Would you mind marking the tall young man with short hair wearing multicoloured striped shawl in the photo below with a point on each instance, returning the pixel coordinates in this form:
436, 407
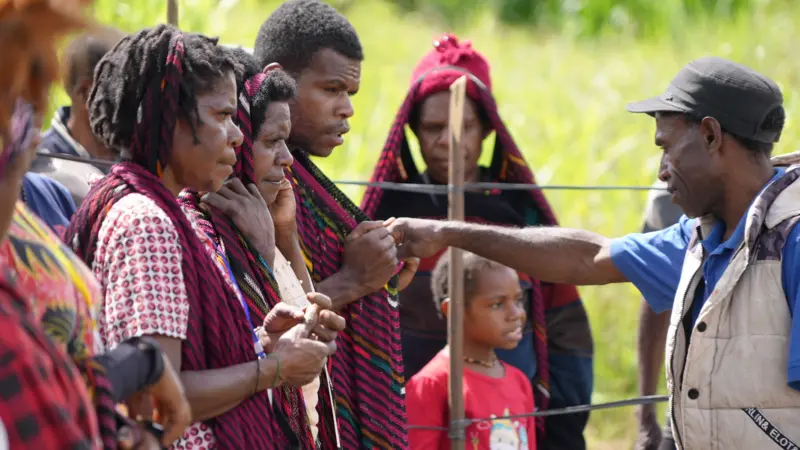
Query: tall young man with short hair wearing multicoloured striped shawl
351, 259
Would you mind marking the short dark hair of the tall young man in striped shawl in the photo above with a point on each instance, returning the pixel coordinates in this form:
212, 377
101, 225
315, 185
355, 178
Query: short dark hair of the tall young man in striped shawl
298, 29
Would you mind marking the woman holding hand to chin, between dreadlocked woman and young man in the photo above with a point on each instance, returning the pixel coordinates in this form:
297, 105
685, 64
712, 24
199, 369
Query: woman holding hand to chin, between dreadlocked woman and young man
238, 213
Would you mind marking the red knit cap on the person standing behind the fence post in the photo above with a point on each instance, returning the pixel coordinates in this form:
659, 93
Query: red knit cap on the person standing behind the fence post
448, 61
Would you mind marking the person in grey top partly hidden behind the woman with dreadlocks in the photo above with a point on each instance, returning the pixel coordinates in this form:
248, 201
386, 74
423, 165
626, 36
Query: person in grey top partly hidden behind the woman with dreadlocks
70, 132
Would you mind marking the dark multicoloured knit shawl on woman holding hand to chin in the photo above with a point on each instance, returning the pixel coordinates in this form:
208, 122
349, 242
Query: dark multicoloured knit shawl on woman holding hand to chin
254, 277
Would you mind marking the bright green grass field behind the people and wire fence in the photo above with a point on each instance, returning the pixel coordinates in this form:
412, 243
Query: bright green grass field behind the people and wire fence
564, 101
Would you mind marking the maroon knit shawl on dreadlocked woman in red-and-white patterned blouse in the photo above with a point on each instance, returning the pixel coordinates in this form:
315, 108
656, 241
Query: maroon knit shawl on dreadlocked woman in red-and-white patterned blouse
218, 334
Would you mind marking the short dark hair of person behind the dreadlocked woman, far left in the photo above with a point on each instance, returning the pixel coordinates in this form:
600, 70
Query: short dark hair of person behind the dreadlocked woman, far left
84, 53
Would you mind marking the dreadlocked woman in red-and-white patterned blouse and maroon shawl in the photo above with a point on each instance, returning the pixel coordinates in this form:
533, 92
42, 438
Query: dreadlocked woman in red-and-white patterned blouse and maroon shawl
166, 100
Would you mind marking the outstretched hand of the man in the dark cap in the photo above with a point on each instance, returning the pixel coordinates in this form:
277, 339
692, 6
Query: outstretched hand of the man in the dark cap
420, 238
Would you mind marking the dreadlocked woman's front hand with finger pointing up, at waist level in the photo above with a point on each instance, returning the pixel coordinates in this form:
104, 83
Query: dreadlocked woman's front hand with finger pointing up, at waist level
302, 358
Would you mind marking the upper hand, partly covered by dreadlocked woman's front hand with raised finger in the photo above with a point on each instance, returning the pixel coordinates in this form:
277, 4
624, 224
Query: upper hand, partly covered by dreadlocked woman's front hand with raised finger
284, 317
